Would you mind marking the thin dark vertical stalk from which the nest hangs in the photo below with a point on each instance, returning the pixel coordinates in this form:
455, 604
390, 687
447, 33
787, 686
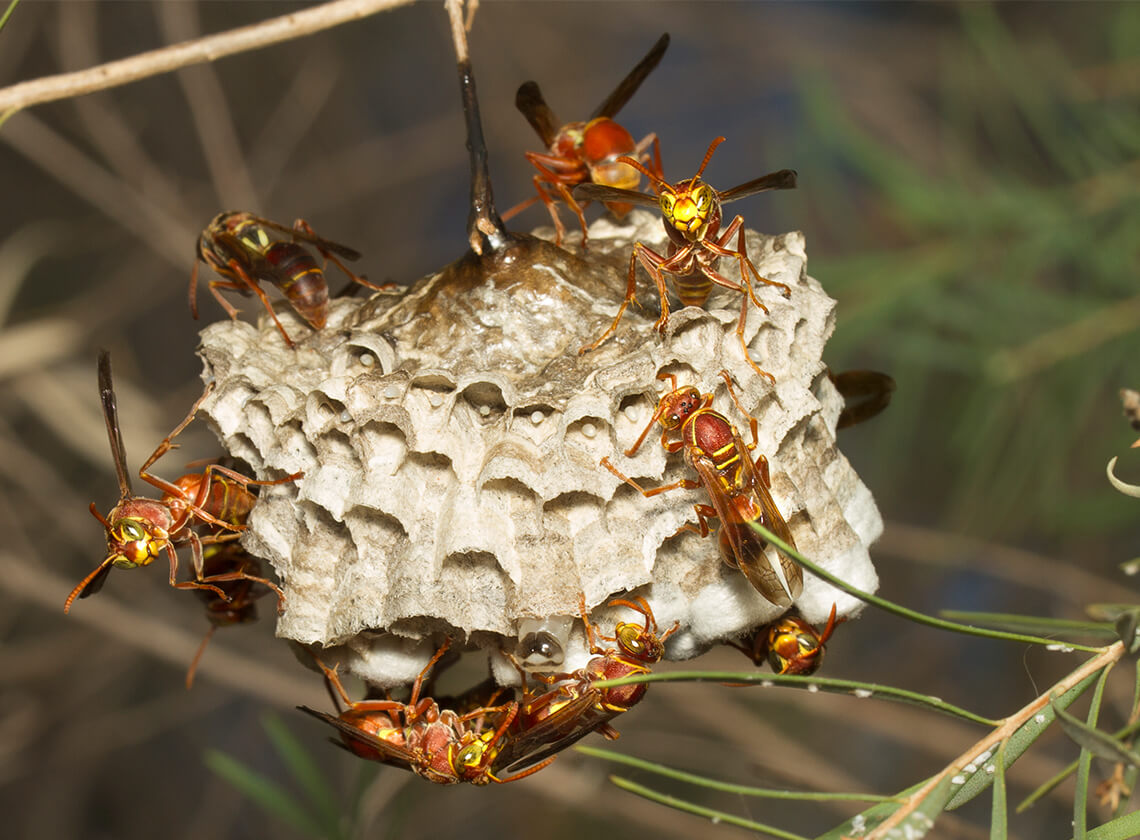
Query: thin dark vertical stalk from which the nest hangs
486, 231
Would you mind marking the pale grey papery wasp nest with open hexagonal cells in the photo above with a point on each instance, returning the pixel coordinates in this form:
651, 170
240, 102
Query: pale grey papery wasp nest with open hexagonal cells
451, 441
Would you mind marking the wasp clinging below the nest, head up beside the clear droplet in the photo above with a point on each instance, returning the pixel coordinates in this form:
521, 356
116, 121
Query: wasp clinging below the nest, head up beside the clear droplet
574, 707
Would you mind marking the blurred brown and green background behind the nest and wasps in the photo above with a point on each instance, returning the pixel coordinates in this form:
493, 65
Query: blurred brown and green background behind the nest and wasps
968, 187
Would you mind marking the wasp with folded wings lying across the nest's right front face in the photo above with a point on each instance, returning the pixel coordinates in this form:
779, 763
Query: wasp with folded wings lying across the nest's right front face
738, 486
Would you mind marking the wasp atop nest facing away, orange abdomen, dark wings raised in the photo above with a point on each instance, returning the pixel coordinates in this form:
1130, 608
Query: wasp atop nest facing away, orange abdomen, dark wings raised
582, 152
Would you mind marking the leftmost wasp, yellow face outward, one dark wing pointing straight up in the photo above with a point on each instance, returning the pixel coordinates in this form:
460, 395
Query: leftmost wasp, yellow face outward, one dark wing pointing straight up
140, 529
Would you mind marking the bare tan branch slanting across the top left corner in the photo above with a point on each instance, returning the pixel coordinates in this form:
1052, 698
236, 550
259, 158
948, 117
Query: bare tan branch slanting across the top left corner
183, 55
